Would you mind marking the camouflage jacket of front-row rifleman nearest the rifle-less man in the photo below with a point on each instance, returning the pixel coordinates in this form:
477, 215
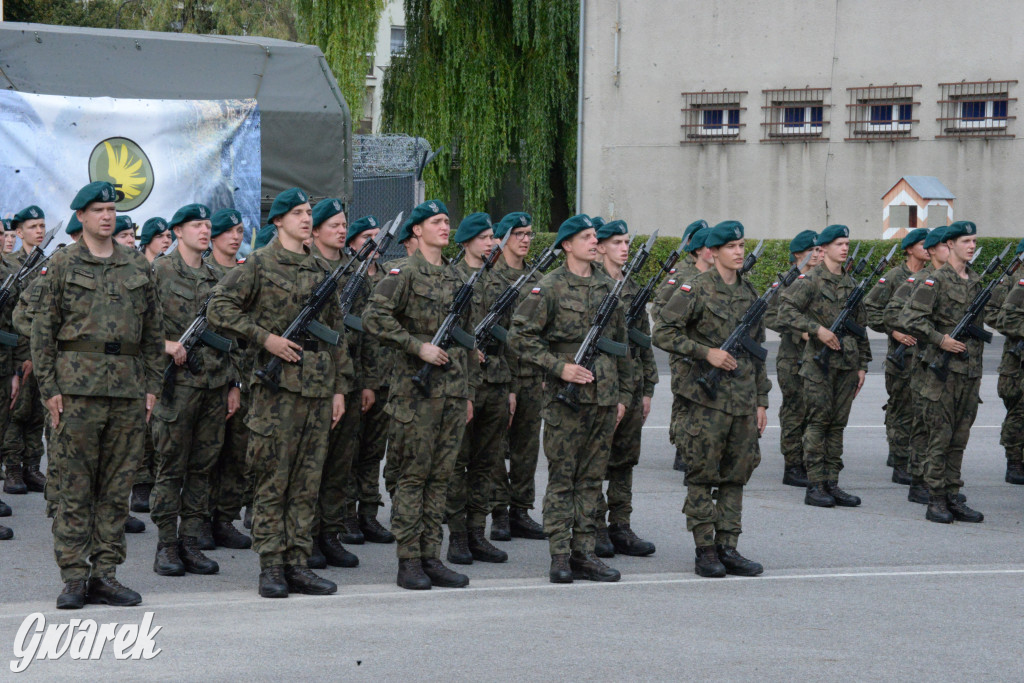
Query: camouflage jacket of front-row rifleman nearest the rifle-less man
263, 297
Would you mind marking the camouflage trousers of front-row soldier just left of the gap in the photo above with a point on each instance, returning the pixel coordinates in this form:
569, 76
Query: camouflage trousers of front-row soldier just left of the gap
722, 452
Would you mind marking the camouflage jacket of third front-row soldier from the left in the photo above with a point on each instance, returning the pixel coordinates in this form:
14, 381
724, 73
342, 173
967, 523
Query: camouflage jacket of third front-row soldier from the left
405, 311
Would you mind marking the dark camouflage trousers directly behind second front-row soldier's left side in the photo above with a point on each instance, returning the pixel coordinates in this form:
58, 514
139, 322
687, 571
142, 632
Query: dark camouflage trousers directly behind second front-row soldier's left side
231, 483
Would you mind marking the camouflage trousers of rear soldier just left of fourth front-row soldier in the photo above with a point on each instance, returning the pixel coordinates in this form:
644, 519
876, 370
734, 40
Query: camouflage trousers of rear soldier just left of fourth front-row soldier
517, 485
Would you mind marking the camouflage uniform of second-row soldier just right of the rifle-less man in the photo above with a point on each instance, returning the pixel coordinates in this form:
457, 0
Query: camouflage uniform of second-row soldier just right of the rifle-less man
189, 430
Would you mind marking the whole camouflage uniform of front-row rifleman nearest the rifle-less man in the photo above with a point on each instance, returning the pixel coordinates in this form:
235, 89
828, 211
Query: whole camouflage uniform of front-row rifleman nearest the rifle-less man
290, 428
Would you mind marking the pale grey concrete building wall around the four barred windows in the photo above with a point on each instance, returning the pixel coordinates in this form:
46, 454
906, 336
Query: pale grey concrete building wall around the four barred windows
634, 166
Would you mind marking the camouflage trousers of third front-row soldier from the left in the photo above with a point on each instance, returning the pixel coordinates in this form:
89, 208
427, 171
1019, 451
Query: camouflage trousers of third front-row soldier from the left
425, 436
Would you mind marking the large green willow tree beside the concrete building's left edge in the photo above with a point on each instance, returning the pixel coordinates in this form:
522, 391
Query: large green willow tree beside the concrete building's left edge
495, 82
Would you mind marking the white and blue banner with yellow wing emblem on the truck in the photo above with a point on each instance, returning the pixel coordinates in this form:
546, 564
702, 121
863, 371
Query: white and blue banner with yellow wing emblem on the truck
160, 154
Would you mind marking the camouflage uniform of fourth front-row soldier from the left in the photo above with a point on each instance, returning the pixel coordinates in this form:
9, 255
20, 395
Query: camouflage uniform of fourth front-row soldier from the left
547, 330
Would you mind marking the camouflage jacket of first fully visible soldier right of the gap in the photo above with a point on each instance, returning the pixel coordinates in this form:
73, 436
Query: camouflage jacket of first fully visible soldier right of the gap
814, 301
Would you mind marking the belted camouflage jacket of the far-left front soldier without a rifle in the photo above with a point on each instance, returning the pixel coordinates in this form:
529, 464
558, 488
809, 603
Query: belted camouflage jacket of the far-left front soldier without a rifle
101, 301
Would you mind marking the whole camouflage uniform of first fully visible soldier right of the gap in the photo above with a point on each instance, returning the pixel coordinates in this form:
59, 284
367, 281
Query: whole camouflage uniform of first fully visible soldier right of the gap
815, 301
